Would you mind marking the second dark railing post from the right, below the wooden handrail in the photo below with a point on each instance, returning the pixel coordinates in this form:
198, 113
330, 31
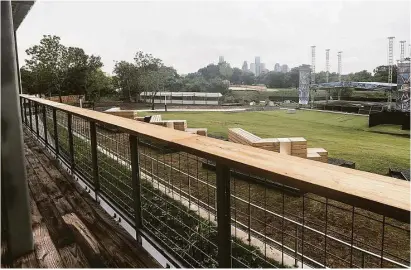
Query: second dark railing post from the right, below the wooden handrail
135, 176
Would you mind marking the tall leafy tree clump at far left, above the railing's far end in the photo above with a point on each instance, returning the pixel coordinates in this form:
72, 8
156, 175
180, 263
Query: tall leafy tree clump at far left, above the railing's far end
55, 69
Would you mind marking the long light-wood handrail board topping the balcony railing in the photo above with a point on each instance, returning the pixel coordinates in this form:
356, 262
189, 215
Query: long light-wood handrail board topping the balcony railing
380, 194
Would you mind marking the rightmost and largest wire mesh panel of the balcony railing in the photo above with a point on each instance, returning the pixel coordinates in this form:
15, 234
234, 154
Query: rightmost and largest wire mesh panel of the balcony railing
277, 226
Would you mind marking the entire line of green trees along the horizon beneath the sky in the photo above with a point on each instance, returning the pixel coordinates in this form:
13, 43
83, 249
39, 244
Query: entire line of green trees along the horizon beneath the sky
54, 69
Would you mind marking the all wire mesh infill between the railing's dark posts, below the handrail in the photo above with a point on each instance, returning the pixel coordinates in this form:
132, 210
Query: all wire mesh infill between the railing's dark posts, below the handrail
271, 225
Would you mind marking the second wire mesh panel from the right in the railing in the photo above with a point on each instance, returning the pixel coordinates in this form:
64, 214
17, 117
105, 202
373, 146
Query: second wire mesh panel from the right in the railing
178, 198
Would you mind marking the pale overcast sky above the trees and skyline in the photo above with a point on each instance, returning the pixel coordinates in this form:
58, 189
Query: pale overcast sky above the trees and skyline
190, 35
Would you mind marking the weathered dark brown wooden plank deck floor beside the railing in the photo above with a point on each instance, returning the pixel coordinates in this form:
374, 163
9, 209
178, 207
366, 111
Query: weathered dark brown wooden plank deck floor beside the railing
70, 229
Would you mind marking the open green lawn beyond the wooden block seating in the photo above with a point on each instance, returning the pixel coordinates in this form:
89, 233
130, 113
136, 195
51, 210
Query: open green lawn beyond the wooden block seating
344, 136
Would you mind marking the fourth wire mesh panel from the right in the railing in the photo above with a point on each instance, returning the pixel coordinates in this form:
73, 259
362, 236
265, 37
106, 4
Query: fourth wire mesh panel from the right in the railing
82, 148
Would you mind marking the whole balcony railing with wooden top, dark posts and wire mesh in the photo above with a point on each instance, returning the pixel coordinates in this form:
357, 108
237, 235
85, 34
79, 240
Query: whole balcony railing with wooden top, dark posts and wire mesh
204, 202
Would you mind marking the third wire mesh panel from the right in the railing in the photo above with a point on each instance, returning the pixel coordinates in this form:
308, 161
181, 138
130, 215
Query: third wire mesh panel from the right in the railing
114, 167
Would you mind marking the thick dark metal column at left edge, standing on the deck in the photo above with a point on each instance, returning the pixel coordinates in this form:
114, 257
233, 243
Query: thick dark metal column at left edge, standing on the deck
14, 189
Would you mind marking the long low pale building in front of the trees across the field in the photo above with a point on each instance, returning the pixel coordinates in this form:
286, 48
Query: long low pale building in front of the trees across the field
184, 98
